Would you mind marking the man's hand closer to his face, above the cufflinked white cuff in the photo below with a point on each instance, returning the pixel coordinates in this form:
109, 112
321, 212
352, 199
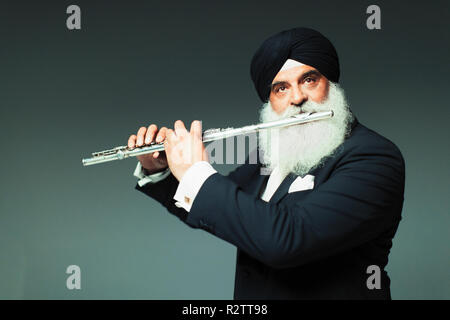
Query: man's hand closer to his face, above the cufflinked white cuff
184, 148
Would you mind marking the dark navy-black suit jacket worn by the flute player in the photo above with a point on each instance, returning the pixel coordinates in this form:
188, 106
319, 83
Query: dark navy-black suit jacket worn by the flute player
312, 244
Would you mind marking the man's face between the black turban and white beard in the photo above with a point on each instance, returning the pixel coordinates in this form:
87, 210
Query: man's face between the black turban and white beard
296, 85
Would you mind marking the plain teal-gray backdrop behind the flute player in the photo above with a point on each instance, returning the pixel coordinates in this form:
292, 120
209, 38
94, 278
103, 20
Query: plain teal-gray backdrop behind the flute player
64, 94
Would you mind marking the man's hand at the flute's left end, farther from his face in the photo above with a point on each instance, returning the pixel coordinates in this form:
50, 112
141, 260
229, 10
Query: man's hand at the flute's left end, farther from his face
152, 162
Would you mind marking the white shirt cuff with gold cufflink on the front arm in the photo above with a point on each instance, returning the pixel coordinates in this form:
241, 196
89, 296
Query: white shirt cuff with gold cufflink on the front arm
191, 183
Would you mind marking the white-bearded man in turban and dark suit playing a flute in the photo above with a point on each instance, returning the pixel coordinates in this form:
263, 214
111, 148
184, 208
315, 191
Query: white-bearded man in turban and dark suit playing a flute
328, 211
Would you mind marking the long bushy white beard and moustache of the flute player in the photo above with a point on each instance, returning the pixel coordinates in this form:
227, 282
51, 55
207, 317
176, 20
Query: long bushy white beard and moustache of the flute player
302, 148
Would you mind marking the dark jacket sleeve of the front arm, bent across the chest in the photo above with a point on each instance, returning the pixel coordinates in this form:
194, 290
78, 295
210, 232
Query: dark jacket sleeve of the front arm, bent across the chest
361, 199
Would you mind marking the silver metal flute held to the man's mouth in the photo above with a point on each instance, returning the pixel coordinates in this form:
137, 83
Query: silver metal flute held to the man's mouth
122, 152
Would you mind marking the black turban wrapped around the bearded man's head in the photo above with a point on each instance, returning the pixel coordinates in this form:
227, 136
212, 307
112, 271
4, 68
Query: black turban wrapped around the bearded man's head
301, 44
